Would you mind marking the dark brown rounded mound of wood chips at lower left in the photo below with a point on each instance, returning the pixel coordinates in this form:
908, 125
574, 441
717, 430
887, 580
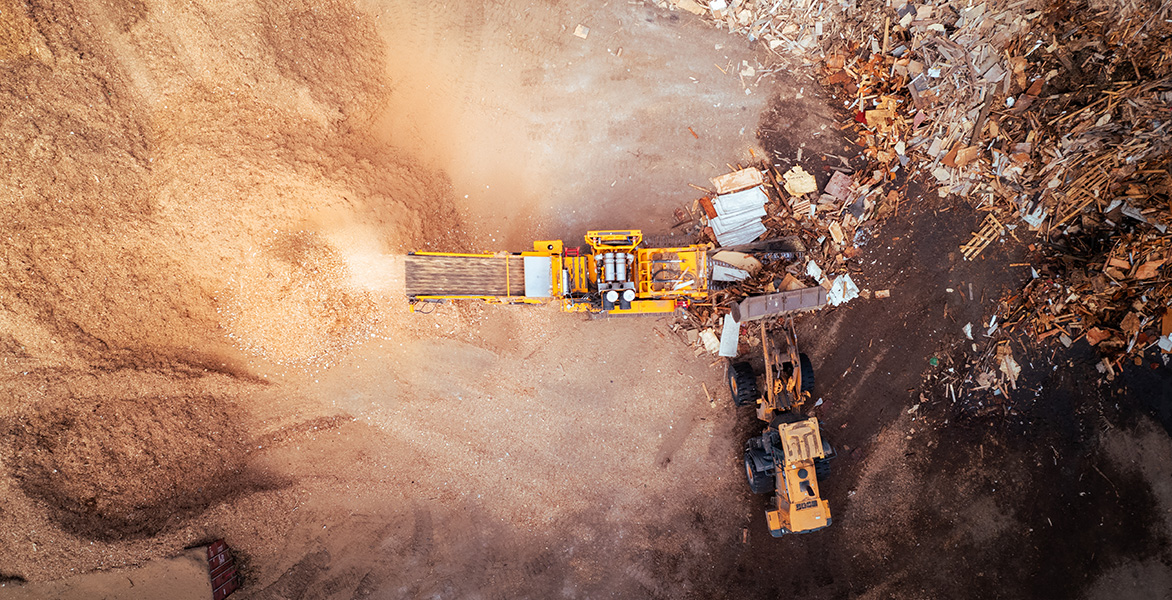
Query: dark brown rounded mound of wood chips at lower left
118, 468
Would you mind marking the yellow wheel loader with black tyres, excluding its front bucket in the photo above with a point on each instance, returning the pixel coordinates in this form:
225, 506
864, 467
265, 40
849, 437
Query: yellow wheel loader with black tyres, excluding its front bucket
791, 456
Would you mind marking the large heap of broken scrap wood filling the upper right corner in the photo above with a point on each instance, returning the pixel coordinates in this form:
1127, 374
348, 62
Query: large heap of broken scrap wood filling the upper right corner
1052, 120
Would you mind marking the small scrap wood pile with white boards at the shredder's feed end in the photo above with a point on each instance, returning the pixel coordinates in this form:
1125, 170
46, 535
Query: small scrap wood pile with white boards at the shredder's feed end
778, 235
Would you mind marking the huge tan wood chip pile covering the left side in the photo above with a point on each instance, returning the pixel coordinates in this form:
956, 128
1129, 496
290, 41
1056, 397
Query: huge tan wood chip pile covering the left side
189, 193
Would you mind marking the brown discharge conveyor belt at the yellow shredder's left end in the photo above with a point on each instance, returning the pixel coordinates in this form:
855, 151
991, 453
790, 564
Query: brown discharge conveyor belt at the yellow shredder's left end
465, 276
